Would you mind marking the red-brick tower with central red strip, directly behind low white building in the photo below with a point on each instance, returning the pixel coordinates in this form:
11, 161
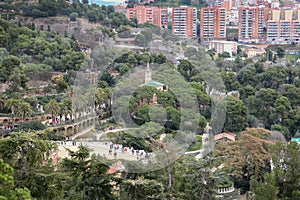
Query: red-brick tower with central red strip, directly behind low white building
212, 23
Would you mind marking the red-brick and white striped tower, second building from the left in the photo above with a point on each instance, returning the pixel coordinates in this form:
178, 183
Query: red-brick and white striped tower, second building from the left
184, 21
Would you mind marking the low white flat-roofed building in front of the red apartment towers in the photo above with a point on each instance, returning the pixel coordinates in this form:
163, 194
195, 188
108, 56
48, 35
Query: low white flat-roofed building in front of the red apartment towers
223, 46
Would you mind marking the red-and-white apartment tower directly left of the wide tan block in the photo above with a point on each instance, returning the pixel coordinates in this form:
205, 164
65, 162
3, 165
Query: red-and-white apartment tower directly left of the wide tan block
252, 20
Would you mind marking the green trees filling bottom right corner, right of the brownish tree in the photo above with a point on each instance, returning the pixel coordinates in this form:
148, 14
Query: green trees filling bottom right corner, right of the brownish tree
283, 181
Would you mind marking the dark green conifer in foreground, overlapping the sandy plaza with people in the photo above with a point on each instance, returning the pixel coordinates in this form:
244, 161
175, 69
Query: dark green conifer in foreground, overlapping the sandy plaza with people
88, 178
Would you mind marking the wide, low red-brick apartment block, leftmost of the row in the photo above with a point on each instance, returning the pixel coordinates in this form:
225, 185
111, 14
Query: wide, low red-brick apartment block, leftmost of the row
146, 14
